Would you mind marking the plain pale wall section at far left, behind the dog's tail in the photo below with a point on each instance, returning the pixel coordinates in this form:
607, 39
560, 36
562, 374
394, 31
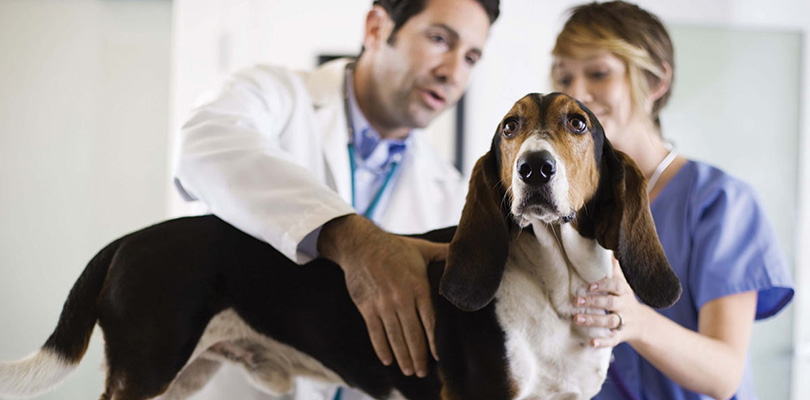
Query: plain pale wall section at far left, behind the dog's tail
83, 128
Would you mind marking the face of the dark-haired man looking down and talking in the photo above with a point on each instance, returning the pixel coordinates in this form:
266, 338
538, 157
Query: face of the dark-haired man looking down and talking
427, 66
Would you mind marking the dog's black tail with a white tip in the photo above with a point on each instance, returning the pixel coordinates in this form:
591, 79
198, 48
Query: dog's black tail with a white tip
66, 346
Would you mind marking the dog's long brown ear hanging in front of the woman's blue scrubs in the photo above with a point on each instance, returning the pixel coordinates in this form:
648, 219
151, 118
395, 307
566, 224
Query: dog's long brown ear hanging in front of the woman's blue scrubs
620, 219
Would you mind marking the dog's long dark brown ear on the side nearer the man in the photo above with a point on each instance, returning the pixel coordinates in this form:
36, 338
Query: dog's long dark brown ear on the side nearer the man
478, 251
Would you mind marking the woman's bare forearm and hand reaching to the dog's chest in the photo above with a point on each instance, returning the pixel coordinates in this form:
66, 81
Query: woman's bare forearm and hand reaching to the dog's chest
708, 361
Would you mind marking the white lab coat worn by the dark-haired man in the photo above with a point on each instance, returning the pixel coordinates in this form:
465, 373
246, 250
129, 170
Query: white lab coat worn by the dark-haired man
268, 154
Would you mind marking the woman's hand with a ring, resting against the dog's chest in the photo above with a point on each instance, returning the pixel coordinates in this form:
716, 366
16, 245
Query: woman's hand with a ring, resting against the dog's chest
616, 308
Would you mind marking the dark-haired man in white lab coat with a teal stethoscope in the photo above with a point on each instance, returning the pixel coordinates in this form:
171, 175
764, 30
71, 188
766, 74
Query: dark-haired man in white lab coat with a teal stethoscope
324, 163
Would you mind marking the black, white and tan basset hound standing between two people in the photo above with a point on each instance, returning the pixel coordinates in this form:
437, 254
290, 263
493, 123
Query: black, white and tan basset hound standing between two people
548, 206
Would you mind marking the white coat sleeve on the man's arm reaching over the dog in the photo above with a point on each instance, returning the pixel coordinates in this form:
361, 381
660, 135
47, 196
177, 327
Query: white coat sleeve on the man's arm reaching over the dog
231, 158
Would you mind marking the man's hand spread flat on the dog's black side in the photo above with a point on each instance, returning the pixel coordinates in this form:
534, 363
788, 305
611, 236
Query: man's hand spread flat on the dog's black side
387, 279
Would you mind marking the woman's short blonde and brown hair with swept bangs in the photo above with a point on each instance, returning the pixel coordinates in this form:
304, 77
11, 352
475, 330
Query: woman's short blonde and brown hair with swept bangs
630, 33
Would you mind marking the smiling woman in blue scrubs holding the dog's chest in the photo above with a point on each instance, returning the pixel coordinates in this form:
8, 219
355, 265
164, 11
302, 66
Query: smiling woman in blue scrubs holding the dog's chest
618, 60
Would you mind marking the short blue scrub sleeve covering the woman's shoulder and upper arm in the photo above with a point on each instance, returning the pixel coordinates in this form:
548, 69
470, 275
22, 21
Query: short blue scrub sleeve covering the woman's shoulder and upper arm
735, 244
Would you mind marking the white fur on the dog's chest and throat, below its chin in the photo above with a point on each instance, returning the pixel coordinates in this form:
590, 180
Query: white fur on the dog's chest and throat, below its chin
549, 356
